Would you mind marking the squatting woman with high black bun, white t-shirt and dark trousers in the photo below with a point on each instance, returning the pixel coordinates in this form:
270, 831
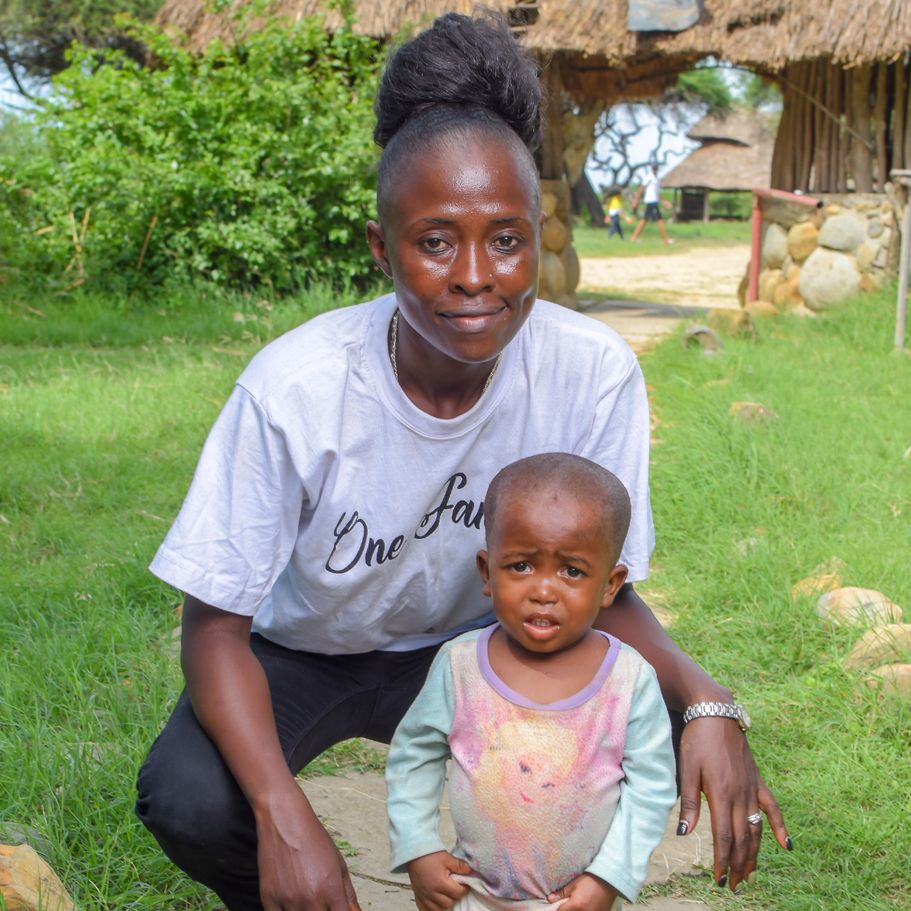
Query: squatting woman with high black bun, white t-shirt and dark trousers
337, 506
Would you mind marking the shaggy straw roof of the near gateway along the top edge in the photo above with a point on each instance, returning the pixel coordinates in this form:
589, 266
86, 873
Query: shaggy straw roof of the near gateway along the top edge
592, 35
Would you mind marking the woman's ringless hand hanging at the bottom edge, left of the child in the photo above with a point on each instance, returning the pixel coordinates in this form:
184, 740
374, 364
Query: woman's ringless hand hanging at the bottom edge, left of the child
300, 868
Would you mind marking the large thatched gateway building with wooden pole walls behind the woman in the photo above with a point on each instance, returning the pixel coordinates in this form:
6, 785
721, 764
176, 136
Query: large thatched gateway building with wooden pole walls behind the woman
843, 67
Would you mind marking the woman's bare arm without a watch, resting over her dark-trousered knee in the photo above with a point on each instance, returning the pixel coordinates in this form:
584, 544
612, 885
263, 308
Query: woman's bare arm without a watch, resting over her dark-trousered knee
300, 868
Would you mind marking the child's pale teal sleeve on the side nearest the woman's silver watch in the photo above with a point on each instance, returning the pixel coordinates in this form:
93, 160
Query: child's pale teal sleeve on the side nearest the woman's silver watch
648, 791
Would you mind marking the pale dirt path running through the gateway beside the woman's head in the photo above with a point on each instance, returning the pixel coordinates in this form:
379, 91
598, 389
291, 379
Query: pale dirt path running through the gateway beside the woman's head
651, 294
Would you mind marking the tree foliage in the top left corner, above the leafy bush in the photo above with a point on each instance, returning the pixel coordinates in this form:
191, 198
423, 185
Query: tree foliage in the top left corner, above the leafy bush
35, 34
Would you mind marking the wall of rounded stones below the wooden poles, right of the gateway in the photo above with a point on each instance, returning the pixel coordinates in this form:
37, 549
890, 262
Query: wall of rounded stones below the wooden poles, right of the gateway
813, 258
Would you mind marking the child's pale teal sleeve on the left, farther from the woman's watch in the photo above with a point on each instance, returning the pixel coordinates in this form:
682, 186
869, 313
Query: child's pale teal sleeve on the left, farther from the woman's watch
416, 768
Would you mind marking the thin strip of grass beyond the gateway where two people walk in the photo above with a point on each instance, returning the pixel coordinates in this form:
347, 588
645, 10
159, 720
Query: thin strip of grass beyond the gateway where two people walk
686, 236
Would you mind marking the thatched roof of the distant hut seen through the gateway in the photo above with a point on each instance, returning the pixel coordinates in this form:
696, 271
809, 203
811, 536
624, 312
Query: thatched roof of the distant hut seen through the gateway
736, 154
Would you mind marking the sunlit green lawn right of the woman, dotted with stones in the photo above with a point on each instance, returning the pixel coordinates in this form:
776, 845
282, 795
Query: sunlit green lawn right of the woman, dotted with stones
743, 511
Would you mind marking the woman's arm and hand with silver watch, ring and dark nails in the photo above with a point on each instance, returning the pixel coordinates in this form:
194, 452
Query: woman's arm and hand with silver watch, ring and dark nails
715, 757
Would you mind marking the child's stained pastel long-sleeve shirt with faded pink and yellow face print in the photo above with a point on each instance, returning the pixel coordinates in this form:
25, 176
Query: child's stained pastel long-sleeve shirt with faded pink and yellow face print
539, 793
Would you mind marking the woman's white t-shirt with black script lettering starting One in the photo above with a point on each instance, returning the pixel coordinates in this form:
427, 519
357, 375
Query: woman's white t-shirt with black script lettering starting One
344, 519
